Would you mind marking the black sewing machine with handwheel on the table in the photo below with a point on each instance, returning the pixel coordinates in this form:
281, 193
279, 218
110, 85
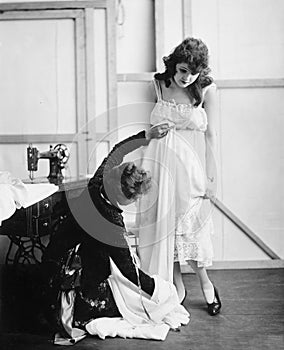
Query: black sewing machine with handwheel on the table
58, 157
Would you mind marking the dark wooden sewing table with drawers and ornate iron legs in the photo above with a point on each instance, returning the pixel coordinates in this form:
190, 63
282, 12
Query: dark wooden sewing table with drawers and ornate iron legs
29, 229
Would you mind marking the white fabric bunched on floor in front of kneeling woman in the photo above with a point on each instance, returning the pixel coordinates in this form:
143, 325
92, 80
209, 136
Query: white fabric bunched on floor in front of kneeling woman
143, 316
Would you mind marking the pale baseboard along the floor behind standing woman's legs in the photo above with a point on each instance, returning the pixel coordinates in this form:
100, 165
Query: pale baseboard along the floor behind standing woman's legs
240, 264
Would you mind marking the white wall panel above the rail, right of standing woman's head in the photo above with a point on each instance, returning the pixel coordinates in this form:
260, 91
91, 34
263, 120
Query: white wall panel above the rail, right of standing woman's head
245, 37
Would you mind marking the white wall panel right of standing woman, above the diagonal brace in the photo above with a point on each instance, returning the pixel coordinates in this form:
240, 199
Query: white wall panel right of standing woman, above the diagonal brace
252, 160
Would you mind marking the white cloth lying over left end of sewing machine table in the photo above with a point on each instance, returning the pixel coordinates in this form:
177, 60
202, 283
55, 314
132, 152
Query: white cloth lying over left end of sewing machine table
14, 194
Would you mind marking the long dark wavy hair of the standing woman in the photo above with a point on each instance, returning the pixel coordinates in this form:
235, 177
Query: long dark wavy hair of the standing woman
195, 53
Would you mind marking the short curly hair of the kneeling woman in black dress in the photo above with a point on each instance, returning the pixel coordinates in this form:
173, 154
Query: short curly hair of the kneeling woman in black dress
134, 181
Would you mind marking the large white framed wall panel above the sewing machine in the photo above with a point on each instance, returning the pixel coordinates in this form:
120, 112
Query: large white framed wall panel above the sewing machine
37, 82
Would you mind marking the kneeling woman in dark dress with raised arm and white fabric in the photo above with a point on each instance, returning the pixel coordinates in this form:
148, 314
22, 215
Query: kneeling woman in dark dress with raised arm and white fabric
92, 274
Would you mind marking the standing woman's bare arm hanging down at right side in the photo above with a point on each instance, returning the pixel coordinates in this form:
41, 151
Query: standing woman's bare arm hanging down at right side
210, 106
